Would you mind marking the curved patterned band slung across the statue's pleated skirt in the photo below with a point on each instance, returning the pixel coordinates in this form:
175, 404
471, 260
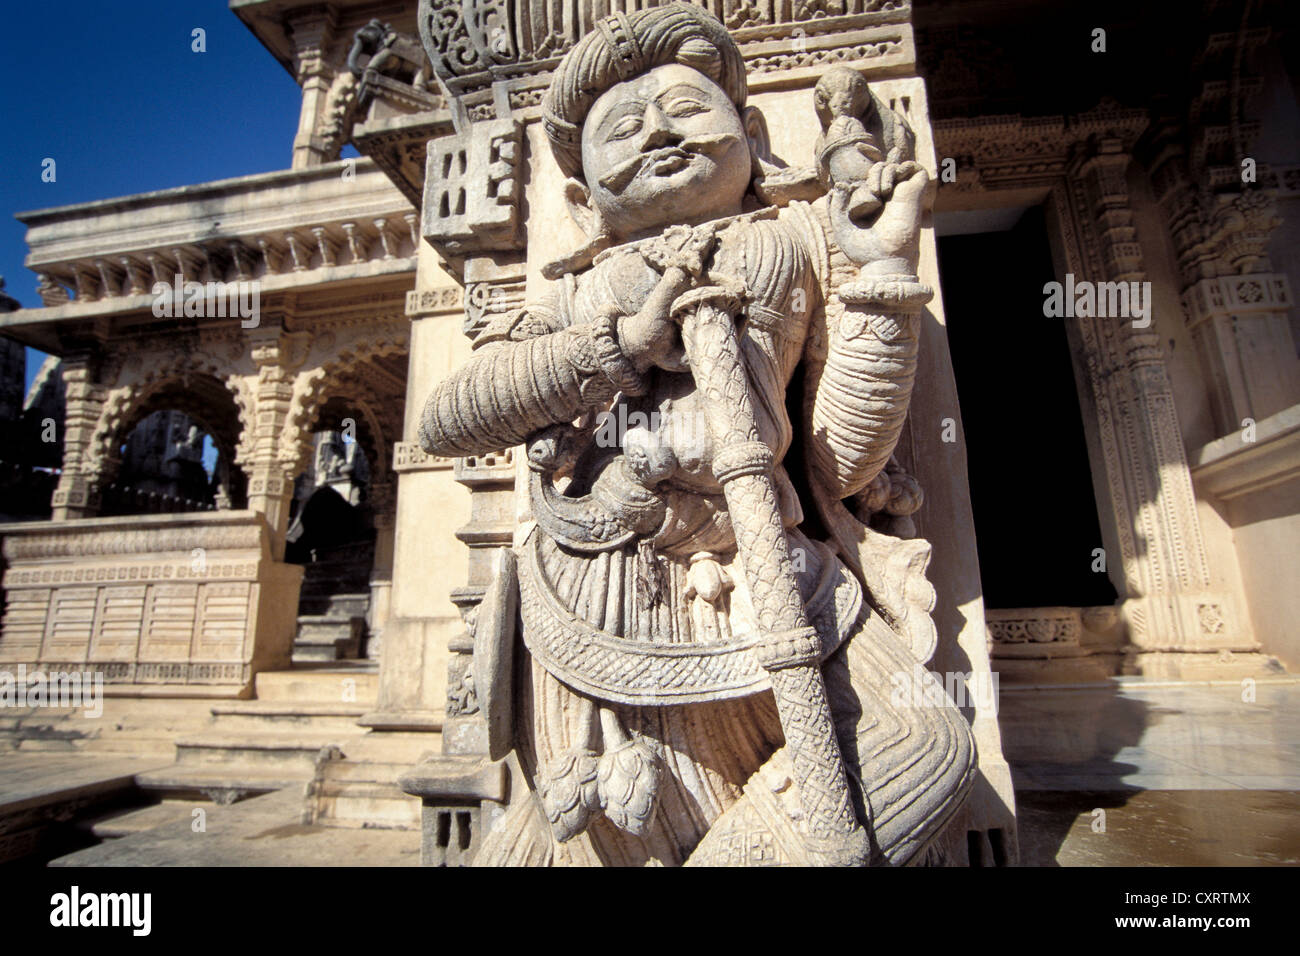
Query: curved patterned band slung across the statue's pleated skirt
632, 672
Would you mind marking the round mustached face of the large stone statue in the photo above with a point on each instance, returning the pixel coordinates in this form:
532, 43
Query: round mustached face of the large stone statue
664, 149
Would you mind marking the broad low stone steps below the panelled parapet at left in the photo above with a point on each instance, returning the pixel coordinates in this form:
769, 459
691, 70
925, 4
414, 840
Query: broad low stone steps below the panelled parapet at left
300, 734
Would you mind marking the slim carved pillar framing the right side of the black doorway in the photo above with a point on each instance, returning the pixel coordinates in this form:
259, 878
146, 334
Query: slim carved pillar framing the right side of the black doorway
1169, 604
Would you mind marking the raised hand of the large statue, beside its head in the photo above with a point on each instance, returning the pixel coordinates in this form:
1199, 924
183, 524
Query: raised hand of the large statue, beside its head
889, 241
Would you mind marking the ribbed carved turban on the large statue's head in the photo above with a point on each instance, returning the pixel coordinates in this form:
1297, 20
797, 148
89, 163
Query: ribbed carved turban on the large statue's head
627, 45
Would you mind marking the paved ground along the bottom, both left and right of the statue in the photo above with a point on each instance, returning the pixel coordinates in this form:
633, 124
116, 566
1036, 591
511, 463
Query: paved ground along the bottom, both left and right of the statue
1124, 775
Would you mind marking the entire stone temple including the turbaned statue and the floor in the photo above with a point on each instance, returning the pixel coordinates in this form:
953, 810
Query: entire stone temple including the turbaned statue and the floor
838, 432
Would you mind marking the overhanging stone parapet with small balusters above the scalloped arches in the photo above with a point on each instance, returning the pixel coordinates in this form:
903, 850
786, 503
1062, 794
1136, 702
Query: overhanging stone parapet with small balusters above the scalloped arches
279, 228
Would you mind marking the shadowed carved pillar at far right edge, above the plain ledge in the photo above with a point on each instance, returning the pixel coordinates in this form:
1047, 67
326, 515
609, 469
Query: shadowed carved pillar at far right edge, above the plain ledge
1223, 217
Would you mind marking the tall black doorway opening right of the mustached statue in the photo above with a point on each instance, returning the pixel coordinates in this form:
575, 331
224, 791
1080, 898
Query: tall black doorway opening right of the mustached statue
1032, 486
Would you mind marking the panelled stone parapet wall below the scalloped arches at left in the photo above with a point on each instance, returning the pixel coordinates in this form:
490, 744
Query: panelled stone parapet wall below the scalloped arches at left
172, 600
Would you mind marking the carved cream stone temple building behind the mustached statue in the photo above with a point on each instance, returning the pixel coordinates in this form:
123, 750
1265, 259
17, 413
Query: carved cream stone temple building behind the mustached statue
246, 539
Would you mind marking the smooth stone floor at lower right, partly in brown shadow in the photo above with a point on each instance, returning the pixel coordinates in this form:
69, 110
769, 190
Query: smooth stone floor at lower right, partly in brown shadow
1156, 775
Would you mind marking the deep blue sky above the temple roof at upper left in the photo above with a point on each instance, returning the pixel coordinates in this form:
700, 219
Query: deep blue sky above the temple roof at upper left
116, 97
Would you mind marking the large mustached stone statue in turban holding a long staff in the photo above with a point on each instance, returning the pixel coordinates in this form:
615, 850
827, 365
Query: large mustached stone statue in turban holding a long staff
716, 642
